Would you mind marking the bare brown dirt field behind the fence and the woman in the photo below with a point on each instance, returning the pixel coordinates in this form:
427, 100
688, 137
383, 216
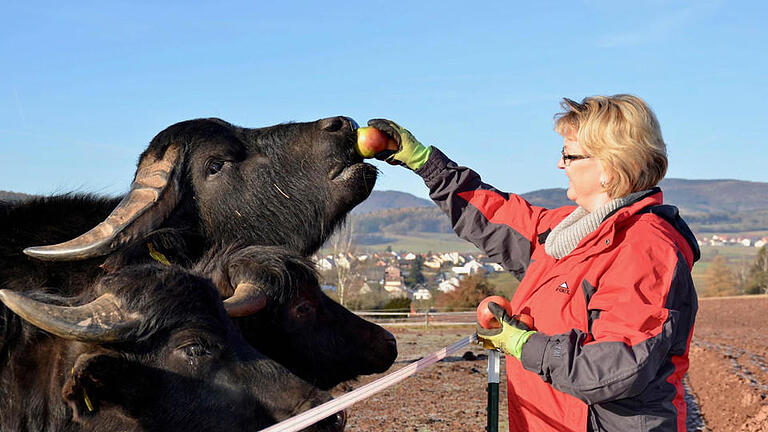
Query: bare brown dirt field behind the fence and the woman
728, 377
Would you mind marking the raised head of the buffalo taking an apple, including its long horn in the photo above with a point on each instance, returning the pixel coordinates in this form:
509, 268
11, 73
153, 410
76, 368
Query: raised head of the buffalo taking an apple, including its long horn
211, 181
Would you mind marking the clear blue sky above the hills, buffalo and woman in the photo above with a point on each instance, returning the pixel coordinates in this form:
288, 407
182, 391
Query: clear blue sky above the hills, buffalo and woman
84, 86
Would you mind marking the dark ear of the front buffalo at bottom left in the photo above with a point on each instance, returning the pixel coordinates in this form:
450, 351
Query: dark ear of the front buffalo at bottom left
97, 382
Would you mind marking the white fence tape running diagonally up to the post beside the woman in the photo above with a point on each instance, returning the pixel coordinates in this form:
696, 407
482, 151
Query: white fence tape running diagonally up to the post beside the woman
329, 408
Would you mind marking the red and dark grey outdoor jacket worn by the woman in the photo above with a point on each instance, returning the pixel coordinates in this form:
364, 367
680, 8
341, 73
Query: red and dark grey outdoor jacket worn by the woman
614, 317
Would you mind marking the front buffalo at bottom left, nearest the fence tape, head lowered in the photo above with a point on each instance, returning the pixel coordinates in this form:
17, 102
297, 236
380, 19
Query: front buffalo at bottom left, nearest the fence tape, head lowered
146, 348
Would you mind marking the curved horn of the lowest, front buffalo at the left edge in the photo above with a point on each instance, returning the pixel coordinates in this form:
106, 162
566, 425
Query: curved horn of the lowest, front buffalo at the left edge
101, 320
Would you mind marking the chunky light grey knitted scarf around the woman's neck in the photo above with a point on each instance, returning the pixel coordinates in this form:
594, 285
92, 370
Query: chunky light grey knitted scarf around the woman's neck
568, 233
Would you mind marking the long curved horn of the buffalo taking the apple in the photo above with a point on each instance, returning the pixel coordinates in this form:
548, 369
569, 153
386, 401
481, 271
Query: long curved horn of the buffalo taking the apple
154, 193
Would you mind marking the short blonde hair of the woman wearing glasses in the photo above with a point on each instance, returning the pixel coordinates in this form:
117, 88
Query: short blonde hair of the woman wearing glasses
622, 133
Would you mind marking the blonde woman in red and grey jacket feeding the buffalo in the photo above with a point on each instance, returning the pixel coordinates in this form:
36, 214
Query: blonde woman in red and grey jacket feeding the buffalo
607, 282
